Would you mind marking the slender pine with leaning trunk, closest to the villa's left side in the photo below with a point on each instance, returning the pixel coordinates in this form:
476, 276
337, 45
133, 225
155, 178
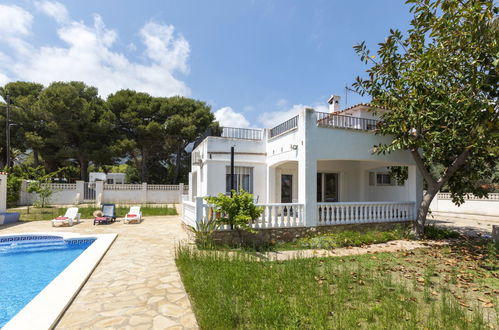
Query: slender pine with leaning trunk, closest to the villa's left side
188, 119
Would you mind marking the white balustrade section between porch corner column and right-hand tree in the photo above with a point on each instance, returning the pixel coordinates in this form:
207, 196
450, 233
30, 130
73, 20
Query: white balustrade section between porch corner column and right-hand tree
364, 212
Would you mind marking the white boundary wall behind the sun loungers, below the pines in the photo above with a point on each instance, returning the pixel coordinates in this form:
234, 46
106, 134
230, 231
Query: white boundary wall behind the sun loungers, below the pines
77, 193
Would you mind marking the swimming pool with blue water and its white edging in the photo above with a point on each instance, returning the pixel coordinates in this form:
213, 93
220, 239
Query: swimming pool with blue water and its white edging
40, 273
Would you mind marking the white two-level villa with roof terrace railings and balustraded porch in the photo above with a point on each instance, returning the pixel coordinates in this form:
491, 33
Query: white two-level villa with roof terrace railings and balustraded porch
313, 169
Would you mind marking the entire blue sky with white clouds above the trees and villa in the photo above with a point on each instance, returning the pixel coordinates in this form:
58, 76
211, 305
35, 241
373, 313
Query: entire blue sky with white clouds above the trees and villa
255, 62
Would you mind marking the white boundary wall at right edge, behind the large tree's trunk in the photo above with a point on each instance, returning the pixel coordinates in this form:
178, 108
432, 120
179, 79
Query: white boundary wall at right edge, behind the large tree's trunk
473, 205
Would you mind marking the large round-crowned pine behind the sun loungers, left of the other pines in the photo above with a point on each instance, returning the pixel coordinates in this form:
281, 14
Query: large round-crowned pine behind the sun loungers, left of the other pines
76, 125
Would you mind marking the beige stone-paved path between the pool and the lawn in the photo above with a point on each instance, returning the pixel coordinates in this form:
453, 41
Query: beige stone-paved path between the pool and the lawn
136, 285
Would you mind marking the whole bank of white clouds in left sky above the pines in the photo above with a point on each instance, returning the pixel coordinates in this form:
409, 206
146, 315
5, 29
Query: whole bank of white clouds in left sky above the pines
89, 56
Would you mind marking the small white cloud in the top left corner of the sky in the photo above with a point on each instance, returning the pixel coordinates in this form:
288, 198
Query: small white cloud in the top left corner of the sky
14, 21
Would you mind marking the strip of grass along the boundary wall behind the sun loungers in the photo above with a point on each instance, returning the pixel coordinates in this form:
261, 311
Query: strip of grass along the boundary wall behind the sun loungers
49, 213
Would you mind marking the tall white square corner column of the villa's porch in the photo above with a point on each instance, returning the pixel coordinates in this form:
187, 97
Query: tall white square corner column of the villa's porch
307, 167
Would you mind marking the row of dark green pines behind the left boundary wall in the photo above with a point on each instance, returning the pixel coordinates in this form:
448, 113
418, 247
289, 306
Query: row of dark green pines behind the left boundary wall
68, 125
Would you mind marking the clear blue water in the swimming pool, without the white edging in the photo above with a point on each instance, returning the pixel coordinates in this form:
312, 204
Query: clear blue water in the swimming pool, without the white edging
28, 264
